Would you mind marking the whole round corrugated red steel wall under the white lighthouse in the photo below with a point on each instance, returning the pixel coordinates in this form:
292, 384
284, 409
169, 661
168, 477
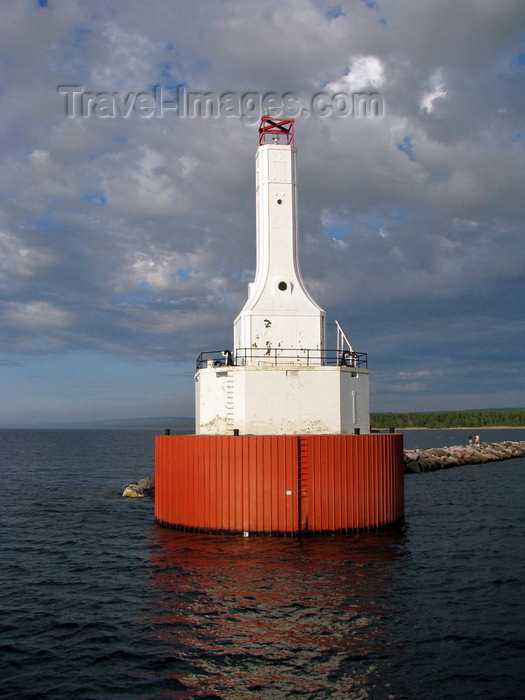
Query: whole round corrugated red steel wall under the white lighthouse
279, 484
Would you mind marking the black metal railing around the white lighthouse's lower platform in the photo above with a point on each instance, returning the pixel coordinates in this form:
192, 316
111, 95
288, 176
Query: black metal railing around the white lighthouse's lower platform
282, 356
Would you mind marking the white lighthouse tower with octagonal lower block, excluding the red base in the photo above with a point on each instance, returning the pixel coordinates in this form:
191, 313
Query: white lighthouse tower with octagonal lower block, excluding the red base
281, 379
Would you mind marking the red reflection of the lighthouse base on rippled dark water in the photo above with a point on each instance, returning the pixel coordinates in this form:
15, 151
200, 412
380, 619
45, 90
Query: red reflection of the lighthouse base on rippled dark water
263, 617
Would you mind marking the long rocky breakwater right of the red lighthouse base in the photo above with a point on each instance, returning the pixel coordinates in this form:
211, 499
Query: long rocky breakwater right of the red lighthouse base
434, 458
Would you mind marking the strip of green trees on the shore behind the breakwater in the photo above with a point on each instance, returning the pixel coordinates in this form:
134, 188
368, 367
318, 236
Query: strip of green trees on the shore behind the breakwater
450, 419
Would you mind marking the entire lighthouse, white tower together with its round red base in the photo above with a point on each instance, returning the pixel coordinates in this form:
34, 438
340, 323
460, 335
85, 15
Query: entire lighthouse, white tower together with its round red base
282, 442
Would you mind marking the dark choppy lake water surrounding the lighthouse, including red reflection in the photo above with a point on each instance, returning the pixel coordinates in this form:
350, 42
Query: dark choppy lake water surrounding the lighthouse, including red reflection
97, 601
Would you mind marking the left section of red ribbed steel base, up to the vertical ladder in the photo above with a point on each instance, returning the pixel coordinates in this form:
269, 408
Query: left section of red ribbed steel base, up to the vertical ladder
226, 483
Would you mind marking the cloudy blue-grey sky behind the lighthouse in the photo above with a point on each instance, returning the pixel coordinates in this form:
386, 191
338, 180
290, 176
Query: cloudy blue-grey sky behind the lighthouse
127, 223
